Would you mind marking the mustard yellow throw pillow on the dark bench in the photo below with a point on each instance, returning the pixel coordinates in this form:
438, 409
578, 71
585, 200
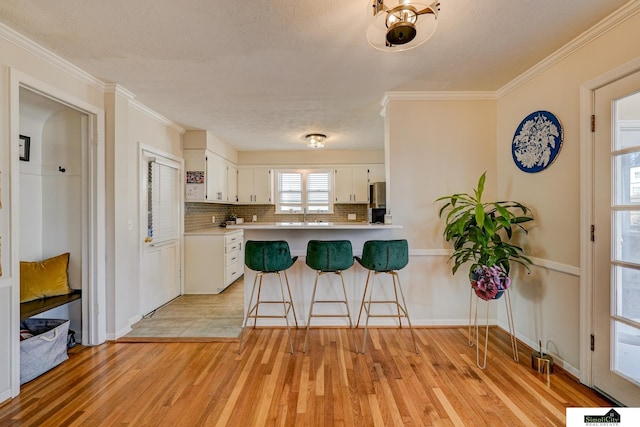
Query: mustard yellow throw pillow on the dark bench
43, 279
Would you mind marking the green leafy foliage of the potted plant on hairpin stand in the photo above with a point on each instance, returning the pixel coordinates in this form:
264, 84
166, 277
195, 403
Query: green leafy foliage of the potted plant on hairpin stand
480, 231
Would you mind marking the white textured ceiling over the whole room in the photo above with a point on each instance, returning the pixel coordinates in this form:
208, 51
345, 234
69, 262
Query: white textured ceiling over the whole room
260, 75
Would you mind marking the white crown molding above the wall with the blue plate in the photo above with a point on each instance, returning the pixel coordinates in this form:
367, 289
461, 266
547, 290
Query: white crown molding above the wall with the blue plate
614, 19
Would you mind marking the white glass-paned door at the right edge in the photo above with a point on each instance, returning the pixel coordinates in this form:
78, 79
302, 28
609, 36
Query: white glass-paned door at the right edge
616, 355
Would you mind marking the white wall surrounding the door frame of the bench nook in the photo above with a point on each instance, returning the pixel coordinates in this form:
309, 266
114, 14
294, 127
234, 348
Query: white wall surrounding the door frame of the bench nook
16, 59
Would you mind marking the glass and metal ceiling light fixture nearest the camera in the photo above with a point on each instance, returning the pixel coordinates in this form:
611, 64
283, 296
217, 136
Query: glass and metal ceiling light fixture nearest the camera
399, 25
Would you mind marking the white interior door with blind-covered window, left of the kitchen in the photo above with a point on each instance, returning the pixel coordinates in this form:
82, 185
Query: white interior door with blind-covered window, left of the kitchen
160, 228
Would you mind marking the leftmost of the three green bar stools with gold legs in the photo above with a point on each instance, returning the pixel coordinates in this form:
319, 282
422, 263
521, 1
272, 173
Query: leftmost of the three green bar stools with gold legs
269, 257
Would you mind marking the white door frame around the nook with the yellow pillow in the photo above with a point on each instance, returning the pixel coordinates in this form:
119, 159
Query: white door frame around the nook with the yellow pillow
94, 221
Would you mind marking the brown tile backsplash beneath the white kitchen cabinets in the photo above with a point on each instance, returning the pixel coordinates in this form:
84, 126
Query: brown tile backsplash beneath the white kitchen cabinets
199, 215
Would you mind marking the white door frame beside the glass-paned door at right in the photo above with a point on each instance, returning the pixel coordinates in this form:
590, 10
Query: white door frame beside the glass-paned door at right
587, 109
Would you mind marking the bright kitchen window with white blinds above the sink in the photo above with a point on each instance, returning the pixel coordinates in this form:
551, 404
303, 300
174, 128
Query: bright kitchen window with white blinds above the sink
299, 190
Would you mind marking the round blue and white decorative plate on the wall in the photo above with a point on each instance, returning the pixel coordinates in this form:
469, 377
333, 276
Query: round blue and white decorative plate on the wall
537, 141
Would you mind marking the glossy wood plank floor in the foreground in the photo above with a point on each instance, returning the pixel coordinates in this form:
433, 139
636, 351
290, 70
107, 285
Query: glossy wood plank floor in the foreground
203, 384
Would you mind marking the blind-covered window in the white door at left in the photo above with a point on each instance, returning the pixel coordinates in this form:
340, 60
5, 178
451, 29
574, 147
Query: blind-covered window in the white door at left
163, 198
